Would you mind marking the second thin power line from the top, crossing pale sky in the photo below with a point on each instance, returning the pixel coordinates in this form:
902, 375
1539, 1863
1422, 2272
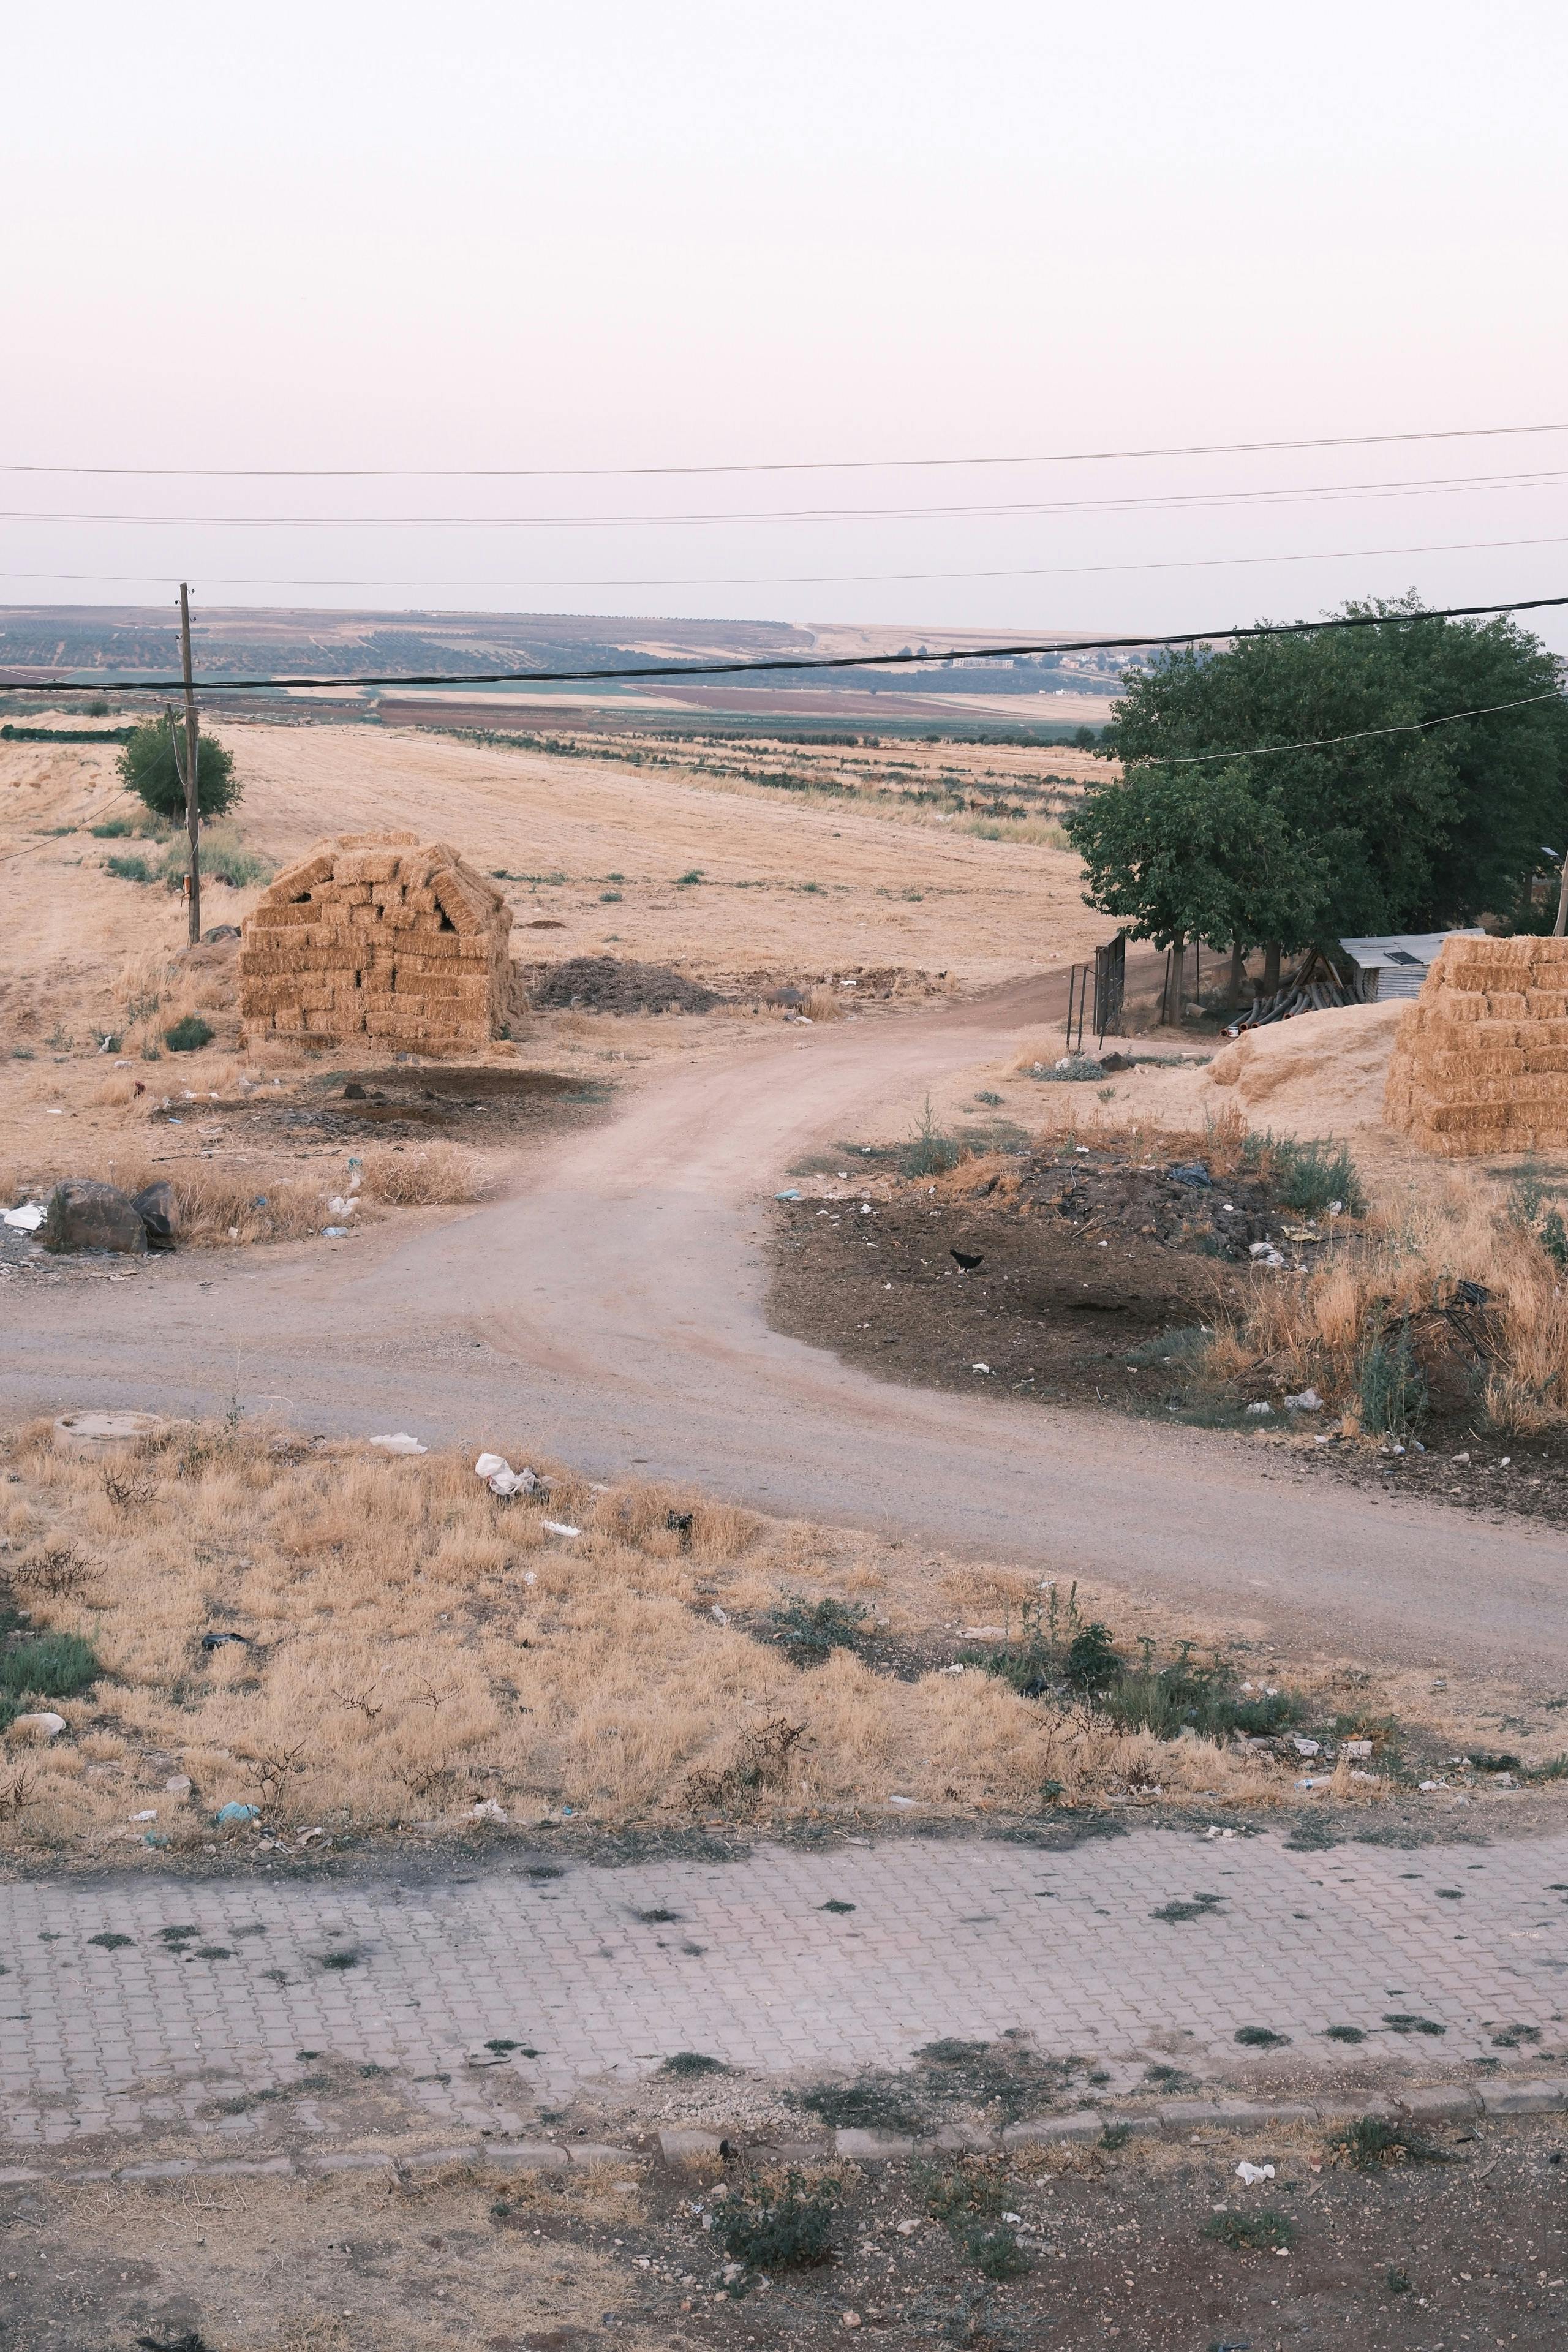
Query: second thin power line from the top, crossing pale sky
1308, 495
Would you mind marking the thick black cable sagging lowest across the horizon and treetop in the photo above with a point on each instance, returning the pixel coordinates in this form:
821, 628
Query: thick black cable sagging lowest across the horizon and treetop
805, 662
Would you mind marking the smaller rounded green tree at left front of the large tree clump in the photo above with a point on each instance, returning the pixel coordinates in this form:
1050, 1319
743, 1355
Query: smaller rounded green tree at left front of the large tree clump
1195, 853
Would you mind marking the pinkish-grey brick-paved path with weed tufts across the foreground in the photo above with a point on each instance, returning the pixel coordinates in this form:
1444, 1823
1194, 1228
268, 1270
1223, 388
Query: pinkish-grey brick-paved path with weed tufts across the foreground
944, 1939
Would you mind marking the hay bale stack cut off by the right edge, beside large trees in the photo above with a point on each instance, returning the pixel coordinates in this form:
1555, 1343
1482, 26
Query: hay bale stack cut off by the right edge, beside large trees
1482, 1057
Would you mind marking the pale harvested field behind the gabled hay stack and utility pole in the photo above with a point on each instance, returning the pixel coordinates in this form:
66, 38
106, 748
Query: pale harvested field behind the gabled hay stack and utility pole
594, 855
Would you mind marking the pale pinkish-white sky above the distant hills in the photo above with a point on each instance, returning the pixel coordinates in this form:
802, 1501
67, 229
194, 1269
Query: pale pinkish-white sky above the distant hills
697, 236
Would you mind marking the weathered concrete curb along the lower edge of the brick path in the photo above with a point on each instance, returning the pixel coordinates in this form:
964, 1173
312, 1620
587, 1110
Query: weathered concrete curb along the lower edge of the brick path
1174, 2120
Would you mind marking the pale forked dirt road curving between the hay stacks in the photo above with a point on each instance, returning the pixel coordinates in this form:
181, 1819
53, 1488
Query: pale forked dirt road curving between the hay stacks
612, 1314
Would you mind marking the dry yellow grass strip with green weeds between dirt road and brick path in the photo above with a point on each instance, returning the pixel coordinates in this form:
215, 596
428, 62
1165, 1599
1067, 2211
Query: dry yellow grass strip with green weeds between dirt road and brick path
370, 1643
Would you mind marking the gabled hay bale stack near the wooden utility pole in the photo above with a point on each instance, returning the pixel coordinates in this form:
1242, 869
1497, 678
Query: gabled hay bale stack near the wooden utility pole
380, 937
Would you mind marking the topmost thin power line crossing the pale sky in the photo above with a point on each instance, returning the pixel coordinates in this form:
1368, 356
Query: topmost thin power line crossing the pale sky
805, 465
